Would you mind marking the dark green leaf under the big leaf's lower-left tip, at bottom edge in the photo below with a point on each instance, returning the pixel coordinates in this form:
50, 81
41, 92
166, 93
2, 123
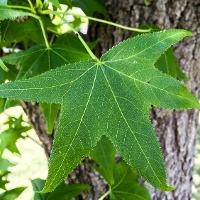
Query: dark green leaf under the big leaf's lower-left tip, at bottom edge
62, 192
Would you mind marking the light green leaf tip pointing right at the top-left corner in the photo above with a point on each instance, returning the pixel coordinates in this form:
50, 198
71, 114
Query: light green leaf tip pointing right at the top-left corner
8, 13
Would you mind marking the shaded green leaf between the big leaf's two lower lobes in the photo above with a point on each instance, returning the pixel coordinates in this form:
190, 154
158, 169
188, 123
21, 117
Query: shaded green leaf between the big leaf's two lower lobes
122, 179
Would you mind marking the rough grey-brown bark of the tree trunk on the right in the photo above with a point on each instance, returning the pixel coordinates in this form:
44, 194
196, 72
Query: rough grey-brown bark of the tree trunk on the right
176, 129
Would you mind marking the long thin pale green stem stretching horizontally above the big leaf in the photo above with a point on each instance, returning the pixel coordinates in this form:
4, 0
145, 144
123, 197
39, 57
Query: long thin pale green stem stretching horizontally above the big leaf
98, 20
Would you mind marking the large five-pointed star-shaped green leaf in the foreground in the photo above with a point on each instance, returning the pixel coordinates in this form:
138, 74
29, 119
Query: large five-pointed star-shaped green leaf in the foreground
111, 97
